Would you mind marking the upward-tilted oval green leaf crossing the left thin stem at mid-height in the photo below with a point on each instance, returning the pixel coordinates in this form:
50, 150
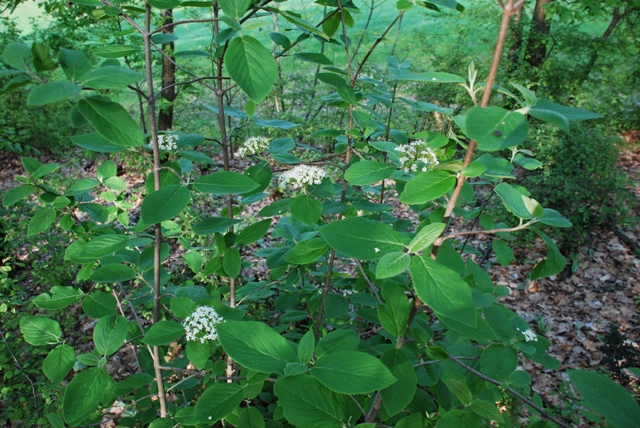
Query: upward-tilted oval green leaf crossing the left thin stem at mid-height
164, 204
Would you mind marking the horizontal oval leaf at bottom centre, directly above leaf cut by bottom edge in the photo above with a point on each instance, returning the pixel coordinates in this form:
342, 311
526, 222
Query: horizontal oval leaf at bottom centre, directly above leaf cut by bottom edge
351, 372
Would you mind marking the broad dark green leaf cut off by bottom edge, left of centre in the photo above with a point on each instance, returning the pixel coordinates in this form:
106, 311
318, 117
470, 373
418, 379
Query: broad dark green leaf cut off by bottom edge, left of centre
308, 404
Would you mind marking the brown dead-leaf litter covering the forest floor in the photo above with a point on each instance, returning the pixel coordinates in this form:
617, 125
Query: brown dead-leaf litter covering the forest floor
574, 310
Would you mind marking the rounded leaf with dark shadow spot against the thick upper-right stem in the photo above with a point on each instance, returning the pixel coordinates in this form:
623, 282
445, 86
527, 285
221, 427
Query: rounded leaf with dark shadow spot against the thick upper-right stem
495, 128
